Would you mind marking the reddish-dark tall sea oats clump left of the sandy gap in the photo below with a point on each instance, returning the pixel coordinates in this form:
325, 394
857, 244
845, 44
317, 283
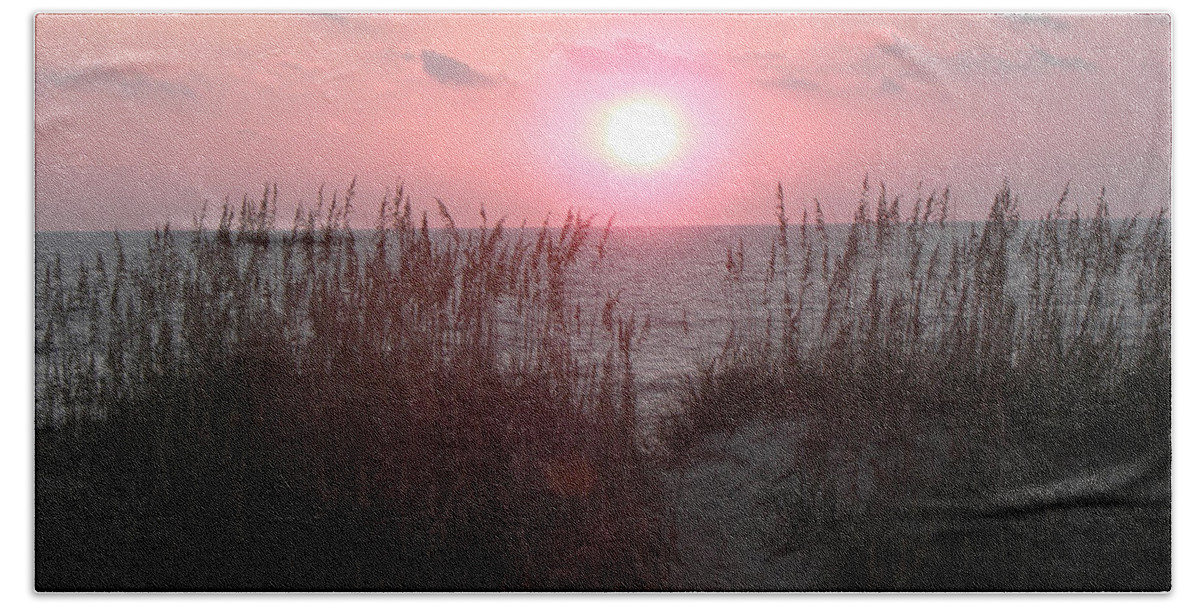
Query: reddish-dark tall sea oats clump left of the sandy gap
254, 408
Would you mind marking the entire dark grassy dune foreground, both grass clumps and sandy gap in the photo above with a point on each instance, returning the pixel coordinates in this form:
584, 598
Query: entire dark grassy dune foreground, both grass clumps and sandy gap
909, 405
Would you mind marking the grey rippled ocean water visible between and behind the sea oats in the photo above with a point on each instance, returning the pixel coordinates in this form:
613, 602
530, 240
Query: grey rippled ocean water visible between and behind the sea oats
677, 285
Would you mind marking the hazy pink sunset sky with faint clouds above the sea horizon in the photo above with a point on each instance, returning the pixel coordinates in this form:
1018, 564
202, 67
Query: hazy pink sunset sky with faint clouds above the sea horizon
140, 119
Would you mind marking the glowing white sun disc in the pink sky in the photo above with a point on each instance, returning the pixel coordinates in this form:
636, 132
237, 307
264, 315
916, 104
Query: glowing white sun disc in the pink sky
643, 133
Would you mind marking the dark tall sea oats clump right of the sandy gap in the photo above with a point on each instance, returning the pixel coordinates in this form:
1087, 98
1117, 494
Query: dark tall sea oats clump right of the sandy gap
962, 387
